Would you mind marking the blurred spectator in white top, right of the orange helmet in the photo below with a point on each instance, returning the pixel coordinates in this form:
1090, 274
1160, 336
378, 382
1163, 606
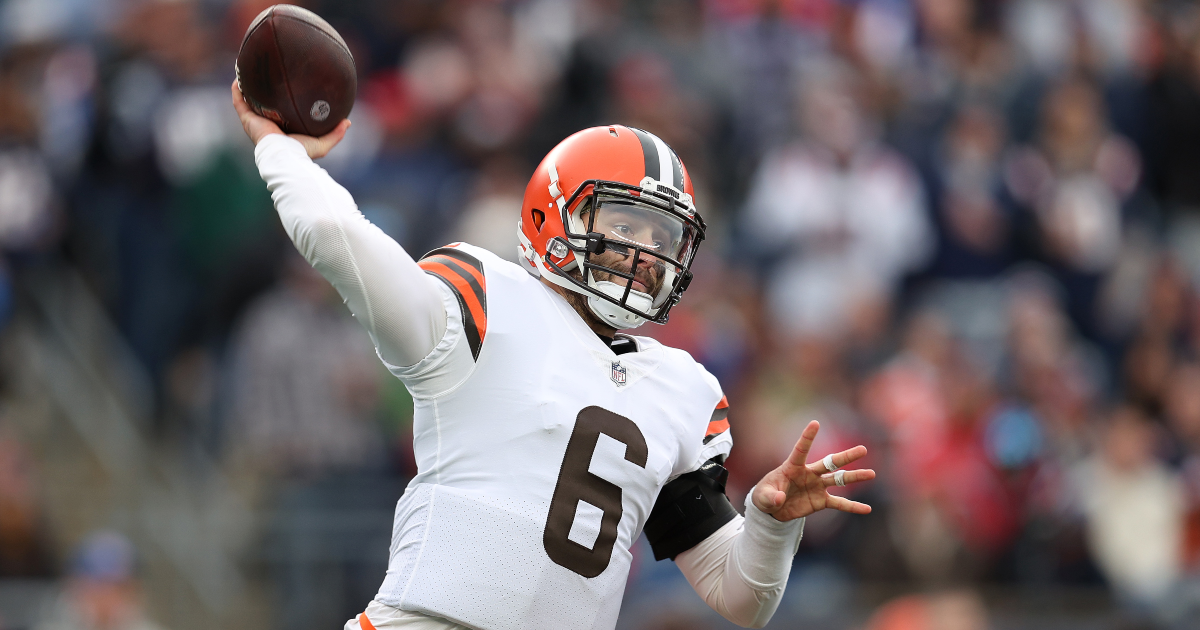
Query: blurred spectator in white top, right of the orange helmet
844, 215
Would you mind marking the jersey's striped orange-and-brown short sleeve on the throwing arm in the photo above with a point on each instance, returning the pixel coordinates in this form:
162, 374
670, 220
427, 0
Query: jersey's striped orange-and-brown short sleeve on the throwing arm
463, 283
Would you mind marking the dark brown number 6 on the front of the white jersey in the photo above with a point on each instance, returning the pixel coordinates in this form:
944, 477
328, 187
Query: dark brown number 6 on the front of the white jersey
577, 484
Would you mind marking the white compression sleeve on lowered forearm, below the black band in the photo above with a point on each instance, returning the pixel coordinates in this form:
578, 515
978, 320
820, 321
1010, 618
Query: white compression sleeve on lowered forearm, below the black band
742, 569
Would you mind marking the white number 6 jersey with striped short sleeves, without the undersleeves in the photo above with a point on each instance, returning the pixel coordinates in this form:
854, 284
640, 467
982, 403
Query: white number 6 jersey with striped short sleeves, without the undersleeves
541, 454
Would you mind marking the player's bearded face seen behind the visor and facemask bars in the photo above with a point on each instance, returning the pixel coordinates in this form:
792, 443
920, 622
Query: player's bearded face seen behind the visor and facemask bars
652, 231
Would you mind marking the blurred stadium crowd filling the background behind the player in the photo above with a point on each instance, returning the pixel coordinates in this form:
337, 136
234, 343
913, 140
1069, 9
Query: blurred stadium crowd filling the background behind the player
965, 233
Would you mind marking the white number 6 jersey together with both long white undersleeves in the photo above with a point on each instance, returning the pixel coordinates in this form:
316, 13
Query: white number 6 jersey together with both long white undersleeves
541, 451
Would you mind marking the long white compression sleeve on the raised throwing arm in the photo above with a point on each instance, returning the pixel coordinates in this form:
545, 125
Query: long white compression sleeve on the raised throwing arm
395, 301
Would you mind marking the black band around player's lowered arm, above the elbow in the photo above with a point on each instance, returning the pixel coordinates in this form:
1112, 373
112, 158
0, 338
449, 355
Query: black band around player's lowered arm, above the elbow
689, 509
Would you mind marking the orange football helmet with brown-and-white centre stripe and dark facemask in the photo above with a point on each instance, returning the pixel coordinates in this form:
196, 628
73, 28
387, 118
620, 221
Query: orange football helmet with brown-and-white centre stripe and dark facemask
610, 214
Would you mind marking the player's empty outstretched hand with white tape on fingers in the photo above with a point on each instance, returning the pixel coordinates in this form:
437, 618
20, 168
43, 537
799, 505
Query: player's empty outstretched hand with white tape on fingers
799, 489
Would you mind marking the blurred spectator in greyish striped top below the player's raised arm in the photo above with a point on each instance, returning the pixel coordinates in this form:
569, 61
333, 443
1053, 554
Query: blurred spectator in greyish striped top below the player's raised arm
305, 382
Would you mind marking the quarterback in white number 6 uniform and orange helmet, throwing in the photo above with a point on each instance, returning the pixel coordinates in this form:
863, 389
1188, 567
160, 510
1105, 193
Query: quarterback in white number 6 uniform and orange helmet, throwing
548, 441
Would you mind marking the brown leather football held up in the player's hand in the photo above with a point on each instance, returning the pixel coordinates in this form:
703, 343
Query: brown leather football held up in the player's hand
296, 70
